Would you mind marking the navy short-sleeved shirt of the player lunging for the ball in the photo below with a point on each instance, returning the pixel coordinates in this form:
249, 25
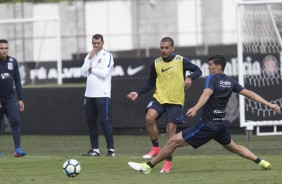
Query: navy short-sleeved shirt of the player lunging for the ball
222, 86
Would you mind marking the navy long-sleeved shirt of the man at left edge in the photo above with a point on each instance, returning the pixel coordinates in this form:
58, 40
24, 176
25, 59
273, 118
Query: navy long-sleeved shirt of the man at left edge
9, 73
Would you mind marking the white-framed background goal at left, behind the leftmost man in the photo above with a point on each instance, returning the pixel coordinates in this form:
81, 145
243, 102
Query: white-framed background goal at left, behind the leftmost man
34, 40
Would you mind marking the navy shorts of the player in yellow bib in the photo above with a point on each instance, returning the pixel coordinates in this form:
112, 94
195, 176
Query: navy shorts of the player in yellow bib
174, 112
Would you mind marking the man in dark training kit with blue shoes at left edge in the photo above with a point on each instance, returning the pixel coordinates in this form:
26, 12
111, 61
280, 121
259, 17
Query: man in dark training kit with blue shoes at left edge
9, 74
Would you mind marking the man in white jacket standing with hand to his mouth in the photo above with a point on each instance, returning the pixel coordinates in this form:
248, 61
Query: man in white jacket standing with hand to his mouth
97, 67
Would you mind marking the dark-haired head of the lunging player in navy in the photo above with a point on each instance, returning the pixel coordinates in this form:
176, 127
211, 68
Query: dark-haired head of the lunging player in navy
216, 64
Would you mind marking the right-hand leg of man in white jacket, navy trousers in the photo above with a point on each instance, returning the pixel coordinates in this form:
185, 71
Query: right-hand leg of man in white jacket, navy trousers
103, 107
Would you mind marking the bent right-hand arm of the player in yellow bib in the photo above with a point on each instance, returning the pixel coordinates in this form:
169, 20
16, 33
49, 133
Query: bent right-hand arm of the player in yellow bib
188, 66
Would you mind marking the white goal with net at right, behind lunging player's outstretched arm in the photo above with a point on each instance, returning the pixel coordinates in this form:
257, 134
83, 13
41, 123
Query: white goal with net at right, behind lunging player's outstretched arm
259, 26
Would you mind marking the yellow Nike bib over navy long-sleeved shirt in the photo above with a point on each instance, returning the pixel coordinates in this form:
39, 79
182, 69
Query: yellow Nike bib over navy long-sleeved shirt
168, 76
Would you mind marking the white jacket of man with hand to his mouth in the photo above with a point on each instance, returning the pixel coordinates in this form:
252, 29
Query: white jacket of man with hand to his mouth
99, 80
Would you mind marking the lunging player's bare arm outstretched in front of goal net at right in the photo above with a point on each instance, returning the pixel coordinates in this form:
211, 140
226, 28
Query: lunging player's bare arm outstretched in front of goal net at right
256, 97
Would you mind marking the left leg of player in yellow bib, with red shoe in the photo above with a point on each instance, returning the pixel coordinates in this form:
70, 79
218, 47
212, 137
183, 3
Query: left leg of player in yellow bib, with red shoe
154, 111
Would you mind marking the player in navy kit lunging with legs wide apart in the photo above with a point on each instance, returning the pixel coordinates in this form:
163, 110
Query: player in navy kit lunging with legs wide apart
217, 91
